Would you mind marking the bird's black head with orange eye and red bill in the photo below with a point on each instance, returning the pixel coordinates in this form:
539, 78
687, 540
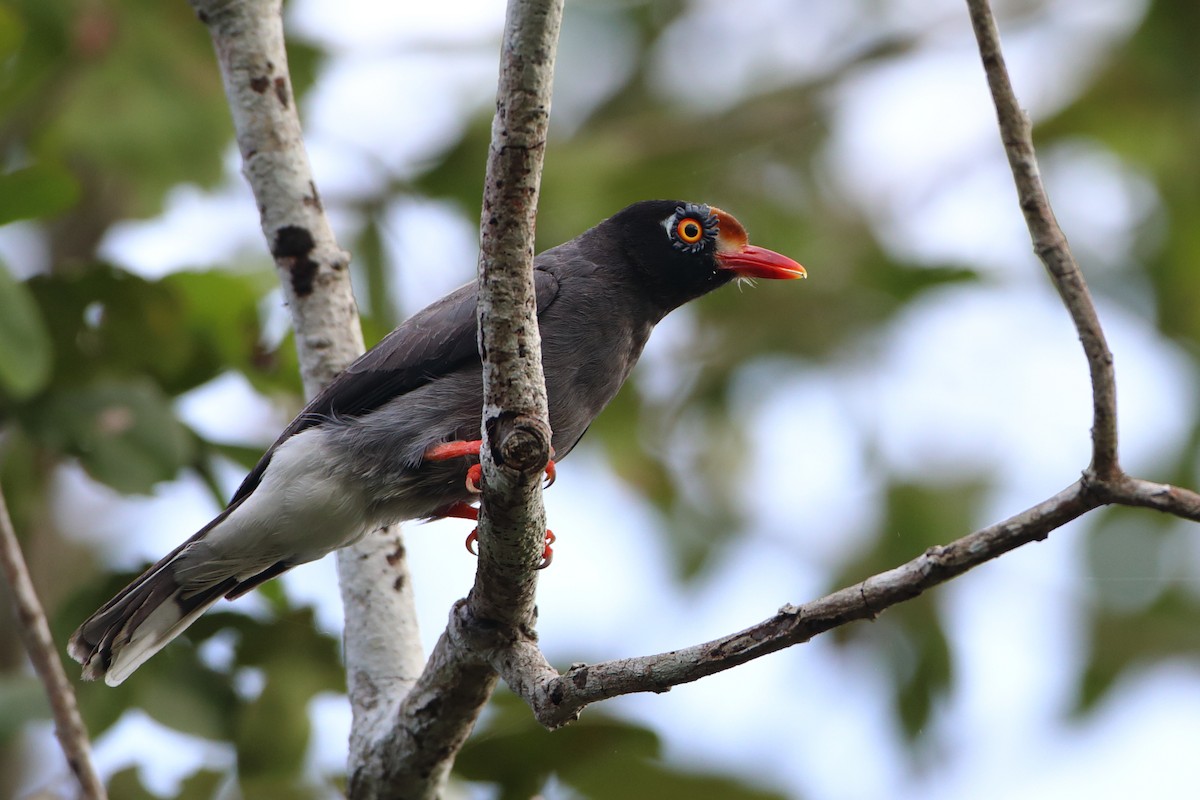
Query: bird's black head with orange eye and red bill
686, 250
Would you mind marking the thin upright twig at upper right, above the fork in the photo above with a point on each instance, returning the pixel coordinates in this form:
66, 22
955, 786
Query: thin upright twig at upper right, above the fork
1049, 242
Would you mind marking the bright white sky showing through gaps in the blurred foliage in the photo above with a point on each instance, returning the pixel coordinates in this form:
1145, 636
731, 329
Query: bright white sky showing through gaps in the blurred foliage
934, 394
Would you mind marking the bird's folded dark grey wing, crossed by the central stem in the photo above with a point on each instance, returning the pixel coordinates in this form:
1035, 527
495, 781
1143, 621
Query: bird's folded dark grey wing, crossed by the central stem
437, 341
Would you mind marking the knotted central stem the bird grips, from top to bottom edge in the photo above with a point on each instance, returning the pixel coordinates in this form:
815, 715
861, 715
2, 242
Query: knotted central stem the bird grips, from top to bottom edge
416, 755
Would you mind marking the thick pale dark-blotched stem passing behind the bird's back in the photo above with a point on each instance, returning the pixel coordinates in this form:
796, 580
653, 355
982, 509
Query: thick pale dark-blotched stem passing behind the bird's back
383, 649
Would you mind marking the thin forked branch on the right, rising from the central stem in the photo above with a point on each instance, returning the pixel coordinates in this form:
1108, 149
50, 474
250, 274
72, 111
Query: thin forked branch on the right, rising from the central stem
557, 700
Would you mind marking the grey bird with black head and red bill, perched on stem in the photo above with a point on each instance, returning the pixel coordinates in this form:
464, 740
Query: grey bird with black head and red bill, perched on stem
395, 437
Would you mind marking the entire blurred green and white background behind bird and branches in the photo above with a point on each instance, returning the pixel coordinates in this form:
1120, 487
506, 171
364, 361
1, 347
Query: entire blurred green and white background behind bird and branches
776, 443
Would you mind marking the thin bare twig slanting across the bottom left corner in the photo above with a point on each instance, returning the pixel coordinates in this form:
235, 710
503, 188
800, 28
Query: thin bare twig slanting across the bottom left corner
35, 634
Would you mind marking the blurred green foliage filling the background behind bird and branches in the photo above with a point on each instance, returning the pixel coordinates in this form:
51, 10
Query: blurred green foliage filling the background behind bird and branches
105, 107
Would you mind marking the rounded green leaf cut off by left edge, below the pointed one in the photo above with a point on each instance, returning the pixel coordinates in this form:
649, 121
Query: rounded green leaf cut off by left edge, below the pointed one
26, 354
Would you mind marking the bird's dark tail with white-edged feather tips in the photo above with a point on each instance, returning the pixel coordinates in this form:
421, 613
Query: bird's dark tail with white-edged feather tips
140, 622
